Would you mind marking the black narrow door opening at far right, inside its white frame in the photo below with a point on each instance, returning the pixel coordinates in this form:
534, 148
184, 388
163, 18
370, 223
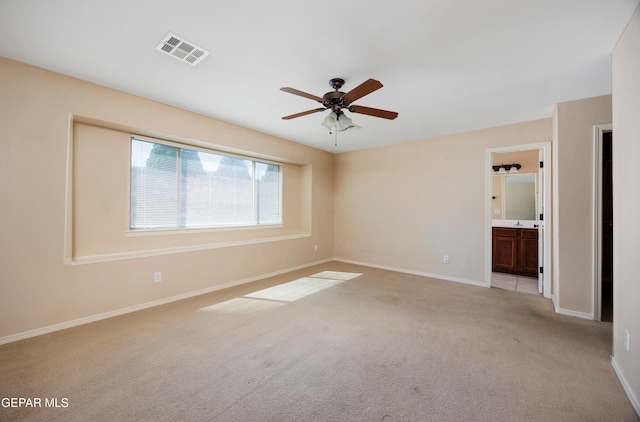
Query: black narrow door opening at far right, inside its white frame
606, 305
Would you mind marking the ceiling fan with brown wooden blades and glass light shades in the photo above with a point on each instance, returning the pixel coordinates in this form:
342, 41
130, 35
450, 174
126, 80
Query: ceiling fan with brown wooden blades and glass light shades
337, 101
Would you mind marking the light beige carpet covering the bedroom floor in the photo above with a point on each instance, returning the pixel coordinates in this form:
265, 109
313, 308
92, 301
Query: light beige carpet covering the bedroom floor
334, 342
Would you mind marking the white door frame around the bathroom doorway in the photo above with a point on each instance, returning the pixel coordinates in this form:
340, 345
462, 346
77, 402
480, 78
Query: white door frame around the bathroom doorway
547, 222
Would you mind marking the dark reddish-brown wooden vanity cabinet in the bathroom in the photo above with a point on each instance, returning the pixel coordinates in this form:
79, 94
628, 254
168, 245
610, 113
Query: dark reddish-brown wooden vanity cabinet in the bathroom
515, 251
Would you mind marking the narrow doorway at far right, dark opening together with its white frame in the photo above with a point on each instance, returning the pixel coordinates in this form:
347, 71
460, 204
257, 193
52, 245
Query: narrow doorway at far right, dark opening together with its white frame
604, 223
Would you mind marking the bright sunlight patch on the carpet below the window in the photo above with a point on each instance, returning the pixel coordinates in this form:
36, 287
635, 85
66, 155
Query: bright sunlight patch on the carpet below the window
276, 296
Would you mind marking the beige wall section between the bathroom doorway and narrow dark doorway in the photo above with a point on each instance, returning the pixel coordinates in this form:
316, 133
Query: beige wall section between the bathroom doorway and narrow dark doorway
573, 202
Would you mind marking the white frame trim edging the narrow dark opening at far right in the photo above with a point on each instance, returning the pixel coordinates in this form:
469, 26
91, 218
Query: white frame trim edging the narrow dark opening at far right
599, 131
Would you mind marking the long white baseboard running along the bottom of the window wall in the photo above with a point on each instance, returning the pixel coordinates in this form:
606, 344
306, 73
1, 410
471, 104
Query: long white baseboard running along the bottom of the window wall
93, 318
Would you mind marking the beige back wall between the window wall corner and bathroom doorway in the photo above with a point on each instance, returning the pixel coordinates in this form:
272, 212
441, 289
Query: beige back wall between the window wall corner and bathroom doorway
407, 205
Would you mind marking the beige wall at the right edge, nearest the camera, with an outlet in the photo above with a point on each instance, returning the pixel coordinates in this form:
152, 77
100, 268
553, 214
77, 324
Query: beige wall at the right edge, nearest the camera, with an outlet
626, 206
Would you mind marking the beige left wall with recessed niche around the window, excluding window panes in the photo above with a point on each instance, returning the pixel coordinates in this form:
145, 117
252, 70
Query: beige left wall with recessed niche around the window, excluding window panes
56, 205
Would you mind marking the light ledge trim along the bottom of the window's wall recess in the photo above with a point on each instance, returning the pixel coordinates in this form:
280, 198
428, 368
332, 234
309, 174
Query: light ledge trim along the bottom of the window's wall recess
95, 259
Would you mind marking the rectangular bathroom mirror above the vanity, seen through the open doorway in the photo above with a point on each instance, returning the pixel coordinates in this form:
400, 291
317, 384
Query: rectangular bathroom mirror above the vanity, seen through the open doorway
519, 196
